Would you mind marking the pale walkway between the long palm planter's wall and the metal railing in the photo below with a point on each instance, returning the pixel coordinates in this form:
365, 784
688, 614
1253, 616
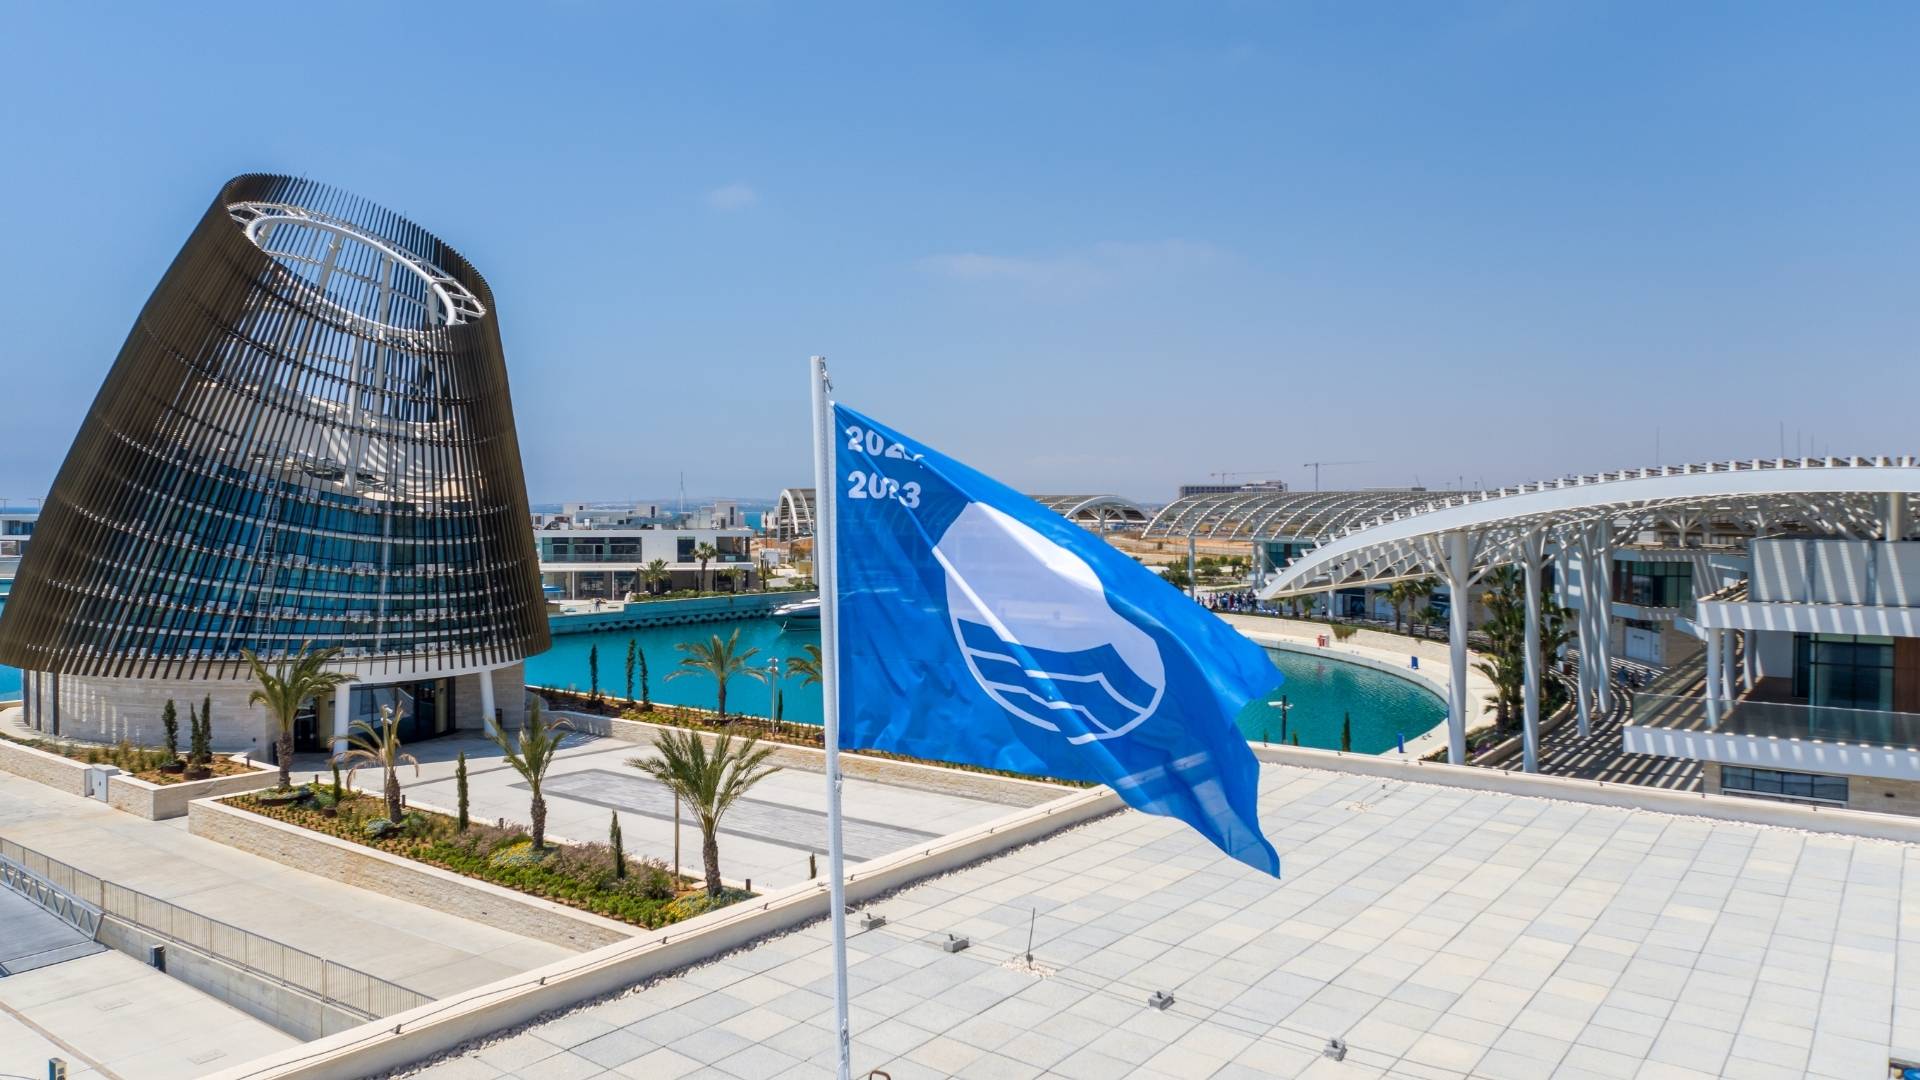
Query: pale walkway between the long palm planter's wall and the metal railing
418, 948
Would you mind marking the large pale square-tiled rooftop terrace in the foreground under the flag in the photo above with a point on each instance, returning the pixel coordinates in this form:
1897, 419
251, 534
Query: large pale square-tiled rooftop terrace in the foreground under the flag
1439, 933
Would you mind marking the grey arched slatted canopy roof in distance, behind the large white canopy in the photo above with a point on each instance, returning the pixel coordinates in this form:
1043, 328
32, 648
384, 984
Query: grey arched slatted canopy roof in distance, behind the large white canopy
1276, 516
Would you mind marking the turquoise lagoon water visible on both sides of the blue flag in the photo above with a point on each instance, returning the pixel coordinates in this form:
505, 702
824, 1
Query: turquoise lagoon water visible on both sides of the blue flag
1320, 691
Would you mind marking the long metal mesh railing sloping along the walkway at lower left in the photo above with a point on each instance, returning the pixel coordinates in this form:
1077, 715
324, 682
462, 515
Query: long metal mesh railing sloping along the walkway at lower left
264, 958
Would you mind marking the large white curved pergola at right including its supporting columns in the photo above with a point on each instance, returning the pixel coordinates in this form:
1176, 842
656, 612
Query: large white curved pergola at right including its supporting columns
1581, 520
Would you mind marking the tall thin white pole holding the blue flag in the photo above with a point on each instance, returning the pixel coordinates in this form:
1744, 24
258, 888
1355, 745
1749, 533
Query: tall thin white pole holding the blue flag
827, 577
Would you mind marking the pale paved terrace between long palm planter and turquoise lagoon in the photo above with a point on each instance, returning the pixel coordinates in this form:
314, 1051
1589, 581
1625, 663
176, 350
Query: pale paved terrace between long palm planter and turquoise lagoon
765, 839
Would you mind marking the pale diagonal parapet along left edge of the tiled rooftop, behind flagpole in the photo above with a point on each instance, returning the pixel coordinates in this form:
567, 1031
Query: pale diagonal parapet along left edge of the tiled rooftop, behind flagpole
443, 1025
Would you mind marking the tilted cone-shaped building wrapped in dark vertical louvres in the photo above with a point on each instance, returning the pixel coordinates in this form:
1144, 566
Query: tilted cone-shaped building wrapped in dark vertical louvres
308, 437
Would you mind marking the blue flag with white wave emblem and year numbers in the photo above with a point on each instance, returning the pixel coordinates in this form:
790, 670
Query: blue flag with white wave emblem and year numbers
984, 629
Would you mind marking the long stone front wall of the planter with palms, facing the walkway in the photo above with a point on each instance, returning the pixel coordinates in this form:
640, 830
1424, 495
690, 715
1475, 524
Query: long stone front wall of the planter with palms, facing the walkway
404, 879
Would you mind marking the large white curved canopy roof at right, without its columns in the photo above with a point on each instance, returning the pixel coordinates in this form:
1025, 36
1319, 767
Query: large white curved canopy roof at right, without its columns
1835, 497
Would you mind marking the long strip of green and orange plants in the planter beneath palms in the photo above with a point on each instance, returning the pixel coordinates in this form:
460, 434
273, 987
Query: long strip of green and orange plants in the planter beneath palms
577, 875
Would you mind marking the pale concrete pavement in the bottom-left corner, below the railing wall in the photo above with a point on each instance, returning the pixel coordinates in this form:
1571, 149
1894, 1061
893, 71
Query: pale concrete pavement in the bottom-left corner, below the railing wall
114, 1018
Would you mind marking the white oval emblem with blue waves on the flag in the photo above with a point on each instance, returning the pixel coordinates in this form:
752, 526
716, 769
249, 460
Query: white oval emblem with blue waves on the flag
1040, 635
